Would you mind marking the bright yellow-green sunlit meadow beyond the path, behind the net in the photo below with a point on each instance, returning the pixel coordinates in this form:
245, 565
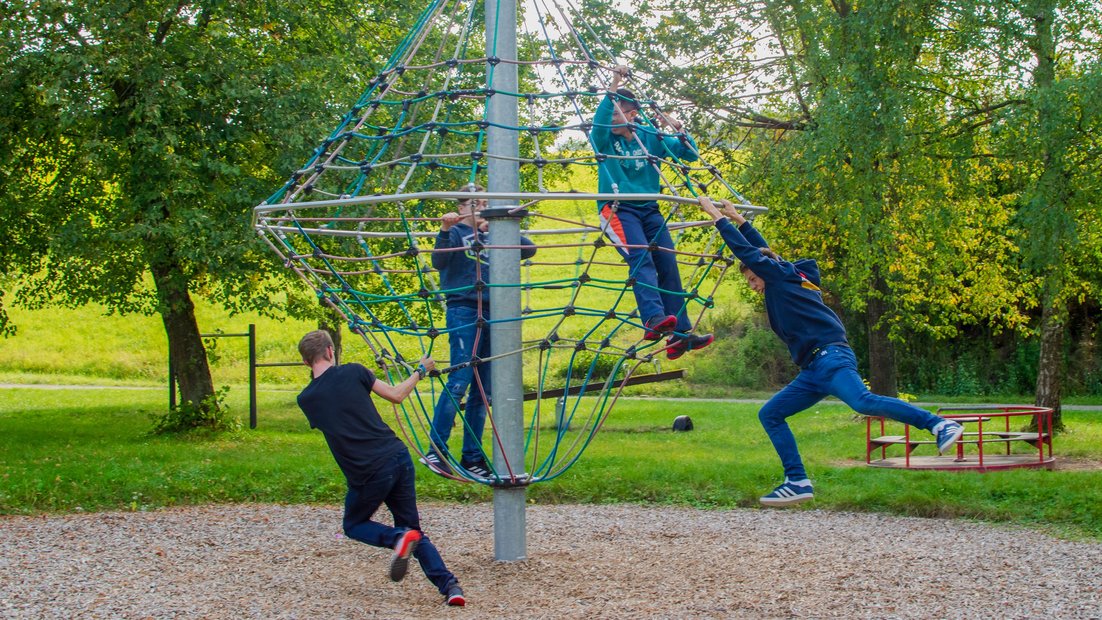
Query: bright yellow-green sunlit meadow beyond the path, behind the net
89, 345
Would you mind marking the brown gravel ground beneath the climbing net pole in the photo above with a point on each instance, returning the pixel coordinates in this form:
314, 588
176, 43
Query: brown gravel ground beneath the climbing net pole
585, 562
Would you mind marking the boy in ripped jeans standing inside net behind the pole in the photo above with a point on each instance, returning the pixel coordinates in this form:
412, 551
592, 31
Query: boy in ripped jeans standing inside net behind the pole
463, 266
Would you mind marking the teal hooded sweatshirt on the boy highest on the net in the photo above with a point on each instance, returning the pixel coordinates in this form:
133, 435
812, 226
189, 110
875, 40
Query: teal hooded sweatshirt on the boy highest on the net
633, 175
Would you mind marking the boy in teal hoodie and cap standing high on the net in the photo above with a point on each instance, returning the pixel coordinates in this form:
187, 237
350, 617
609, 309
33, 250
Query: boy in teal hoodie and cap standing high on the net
629, 160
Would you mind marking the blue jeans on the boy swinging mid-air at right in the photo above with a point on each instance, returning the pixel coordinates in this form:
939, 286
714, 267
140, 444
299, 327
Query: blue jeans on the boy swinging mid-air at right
833, 373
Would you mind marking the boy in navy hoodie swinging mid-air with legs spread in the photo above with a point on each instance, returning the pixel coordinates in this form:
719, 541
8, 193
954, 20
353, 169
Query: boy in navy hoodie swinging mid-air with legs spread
817, 342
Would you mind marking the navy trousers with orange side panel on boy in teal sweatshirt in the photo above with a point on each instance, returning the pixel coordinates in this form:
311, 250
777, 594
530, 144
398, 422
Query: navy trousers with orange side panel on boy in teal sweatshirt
657, 289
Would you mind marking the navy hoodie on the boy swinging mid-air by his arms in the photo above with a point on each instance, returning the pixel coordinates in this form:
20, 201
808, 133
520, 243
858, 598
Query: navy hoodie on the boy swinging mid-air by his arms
793, 299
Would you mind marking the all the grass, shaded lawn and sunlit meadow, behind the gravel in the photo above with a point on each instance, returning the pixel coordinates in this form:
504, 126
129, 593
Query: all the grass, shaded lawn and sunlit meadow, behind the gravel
90, 450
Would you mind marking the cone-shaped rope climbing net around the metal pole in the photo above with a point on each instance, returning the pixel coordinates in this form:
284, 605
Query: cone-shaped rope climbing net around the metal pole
359, 222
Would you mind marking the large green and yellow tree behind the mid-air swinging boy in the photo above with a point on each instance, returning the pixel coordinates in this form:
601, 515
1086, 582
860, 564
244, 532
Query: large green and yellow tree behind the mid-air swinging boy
860, 126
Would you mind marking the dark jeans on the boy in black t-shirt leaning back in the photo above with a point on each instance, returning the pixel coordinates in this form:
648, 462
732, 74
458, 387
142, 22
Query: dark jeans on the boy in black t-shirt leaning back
394, 486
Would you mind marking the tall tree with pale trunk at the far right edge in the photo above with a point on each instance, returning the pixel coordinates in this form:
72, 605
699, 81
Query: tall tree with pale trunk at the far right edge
1058, 147
